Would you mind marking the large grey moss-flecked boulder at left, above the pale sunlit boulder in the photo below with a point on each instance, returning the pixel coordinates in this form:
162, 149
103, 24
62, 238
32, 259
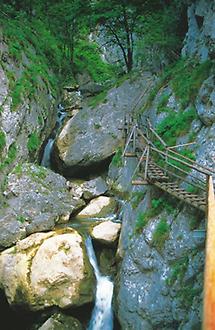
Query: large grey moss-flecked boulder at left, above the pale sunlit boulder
37, 199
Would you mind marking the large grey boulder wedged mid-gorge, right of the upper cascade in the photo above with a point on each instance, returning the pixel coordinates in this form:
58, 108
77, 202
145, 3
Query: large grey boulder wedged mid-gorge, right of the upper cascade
90, 138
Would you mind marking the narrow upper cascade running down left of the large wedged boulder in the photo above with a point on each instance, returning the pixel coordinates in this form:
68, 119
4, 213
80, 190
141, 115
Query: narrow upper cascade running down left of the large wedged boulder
46, 159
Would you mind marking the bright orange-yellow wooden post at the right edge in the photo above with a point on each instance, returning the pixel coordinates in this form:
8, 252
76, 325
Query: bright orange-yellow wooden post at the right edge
209, 275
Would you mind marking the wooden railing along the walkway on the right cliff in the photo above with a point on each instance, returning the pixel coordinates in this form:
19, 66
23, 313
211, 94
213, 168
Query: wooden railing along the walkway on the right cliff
147, 145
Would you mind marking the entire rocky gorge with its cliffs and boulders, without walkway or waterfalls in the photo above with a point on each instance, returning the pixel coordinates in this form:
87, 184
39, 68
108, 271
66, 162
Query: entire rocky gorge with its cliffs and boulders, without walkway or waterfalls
47, 212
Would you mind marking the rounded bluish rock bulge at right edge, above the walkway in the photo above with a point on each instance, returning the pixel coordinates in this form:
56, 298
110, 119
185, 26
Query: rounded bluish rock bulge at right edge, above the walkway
205, 103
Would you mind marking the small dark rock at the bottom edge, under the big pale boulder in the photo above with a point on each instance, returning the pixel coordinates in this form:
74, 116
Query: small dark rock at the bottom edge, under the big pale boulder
61, 321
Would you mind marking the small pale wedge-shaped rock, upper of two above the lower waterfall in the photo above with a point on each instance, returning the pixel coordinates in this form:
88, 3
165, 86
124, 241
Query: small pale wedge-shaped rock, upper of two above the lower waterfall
99, 207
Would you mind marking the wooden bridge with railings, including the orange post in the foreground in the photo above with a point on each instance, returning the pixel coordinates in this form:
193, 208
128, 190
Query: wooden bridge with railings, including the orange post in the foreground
162, 166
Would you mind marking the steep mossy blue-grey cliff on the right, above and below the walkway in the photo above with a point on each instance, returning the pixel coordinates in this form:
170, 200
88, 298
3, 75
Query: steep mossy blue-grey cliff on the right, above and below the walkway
160, 279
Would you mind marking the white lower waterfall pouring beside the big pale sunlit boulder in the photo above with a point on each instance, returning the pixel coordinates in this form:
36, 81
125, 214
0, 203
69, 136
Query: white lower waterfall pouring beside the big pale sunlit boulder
102, 315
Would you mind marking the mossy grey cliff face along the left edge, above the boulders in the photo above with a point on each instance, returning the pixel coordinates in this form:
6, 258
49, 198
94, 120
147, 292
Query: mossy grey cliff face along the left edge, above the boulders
27, 111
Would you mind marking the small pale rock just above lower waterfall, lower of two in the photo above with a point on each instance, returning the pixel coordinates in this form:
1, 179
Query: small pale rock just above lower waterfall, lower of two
106, 232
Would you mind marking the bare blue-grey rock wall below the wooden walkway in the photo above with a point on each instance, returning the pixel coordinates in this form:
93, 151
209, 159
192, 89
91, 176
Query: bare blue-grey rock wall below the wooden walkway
143, 294
